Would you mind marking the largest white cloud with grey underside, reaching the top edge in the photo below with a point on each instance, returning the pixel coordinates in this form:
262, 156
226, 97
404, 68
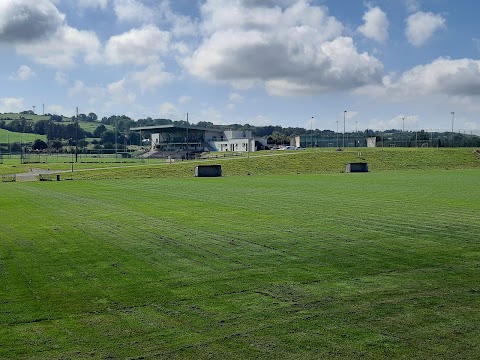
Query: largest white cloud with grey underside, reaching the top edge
294, 49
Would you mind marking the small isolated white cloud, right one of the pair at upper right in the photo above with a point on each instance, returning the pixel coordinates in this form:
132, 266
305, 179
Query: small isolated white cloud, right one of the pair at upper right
421, 26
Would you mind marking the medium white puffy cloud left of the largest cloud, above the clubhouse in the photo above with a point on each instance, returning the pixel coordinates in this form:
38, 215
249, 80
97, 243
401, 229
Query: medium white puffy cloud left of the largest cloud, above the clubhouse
137, 46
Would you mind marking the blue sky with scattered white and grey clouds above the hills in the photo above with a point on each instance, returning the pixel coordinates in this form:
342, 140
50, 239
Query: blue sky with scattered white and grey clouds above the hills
262, 62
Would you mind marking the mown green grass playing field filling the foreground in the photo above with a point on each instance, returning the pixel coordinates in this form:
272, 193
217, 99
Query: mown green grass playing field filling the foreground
299, 266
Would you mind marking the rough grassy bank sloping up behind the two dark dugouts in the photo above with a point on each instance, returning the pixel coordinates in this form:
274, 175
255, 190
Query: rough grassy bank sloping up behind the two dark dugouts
306, 162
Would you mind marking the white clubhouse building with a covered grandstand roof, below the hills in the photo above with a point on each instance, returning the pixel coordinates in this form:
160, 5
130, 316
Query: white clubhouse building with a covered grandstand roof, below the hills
171, 138
